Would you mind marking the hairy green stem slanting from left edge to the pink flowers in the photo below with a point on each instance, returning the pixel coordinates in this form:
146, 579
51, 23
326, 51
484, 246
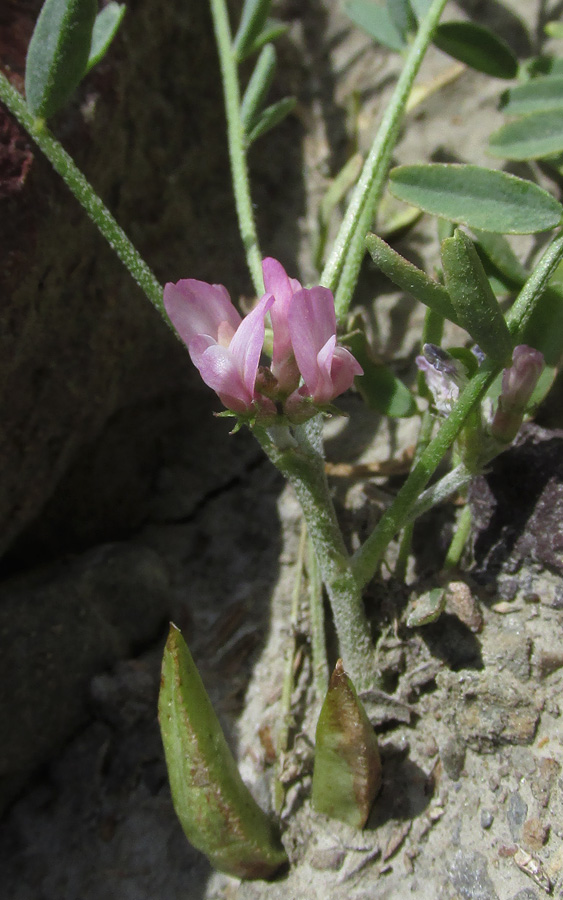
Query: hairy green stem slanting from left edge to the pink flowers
84, 193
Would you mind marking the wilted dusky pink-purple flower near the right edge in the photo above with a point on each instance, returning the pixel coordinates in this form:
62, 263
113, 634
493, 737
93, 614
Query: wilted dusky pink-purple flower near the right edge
518, 385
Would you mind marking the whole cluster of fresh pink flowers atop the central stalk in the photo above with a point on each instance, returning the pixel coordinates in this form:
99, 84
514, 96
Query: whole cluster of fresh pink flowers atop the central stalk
308, 369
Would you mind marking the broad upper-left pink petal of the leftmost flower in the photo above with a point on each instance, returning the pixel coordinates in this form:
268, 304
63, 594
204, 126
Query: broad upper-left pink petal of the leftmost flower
195, 307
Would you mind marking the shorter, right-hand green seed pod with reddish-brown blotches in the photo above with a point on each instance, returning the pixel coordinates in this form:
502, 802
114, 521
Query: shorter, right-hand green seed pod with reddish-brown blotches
347, 773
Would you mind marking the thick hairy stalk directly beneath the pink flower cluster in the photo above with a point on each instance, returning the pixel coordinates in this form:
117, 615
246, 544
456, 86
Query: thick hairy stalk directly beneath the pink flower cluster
303, 466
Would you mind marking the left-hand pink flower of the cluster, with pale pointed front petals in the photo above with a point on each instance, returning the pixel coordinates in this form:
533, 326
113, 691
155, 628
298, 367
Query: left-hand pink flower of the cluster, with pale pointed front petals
225, 348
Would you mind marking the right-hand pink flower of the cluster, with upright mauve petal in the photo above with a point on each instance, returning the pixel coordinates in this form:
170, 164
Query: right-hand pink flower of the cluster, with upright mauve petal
327, 370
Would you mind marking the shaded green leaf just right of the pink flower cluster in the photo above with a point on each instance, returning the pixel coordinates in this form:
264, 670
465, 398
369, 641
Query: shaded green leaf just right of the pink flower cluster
379, 387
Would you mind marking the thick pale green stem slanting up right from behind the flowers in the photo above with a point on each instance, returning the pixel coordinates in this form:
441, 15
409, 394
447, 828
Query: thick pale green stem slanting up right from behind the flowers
348, 249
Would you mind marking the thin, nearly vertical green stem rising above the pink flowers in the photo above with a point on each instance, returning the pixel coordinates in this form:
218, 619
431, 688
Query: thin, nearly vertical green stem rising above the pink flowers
235, 132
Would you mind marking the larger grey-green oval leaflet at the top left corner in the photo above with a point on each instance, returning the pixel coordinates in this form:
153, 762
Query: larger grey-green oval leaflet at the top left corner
57, 57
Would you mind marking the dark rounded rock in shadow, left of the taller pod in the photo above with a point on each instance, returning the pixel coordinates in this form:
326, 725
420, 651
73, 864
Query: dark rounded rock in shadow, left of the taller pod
58, 628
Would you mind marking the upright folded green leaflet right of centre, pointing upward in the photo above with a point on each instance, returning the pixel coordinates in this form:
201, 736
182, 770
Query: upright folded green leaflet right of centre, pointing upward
471, 295
